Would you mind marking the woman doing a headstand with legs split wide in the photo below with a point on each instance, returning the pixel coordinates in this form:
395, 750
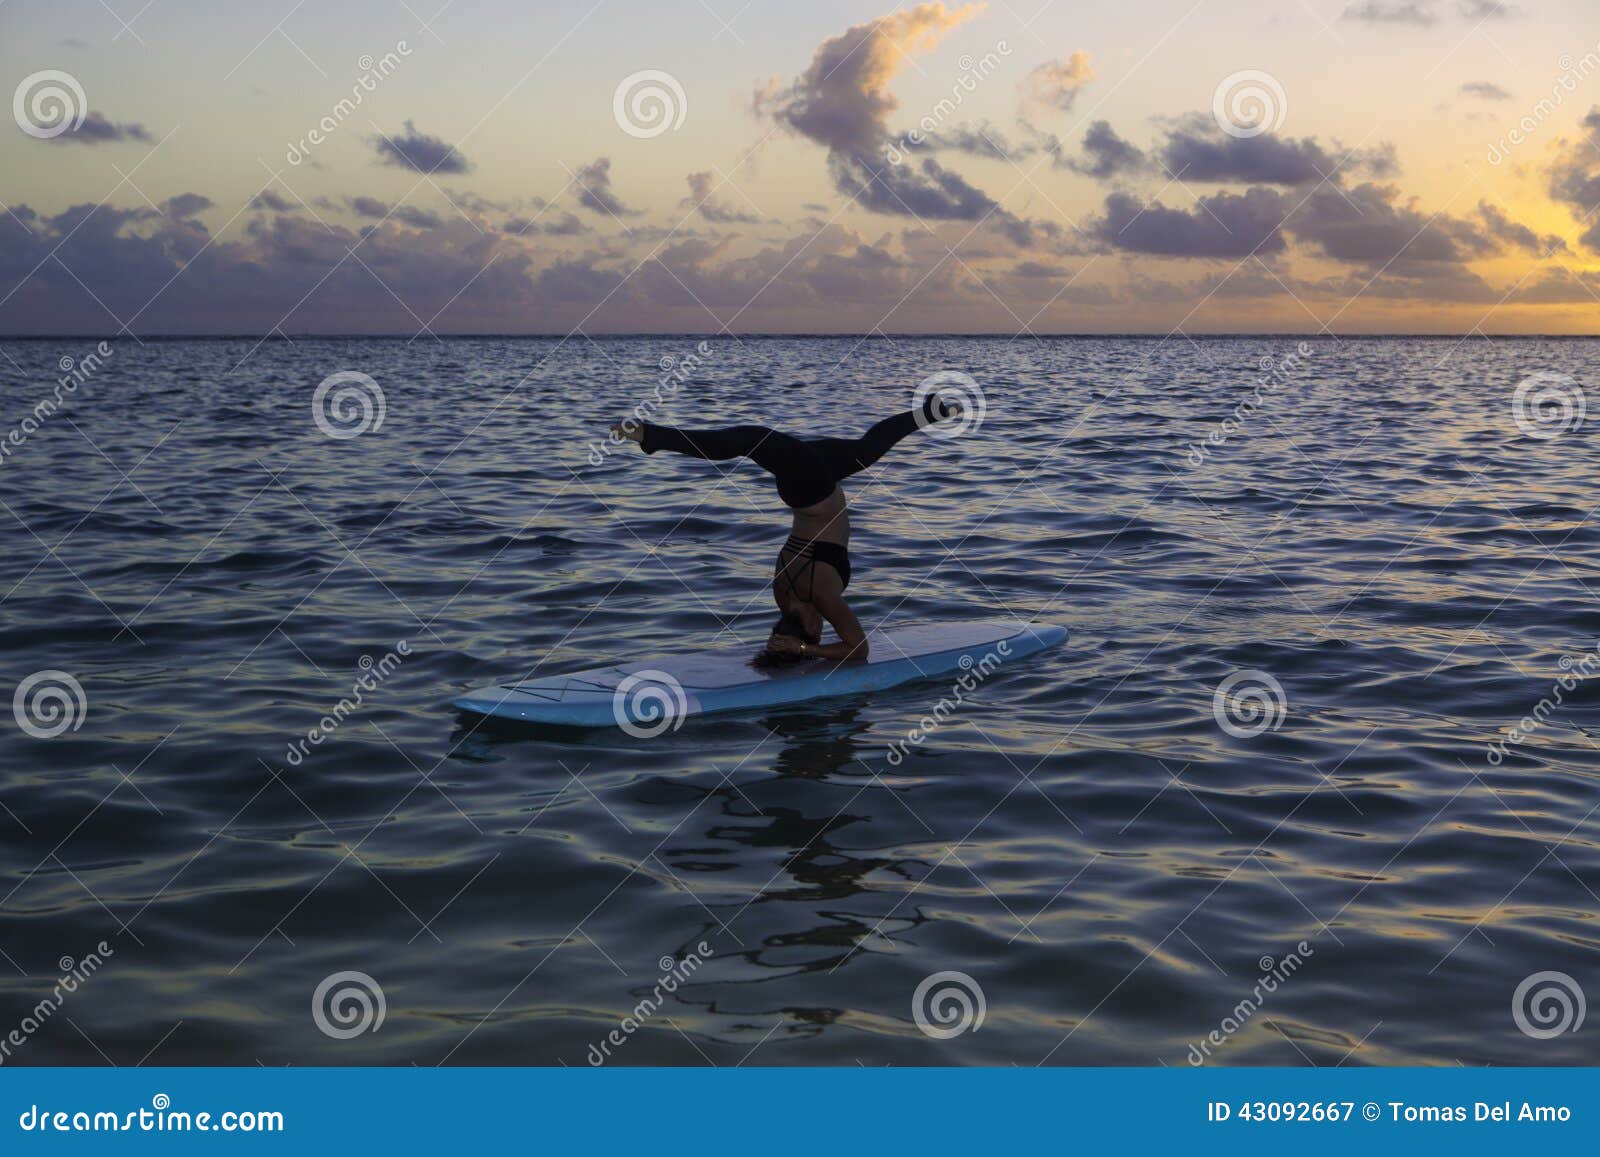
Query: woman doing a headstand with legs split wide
814, 567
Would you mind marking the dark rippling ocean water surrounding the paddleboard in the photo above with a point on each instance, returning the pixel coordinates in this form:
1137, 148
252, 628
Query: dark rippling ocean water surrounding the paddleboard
1372, 846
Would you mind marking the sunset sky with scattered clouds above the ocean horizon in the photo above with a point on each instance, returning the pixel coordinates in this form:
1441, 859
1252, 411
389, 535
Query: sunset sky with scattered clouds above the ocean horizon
434, 167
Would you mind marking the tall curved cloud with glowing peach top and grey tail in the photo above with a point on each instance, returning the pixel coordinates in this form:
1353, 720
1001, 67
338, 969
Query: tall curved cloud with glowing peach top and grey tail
844, 103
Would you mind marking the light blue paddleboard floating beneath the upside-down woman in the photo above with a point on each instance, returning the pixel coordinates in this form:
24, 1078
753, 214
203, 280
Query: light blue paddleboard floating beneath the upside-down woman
654, 695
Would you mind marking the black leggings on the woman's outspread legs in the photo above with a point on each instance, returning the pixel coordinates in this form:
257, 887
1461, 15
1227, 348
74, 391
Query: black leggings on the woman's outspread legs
807, 470
